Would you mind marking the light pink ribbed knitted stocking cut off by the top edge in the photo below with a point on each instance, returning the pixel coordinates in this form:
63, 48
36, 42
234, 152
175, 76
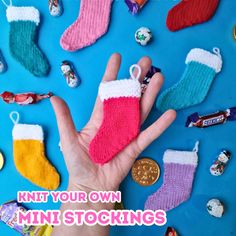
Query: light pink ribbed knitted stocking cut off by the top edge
90, 25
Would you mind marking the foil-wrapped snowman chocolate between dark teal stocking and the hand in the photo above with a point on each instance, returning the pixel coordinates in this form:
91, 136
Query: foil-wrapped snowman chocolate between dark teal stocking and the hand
70, 74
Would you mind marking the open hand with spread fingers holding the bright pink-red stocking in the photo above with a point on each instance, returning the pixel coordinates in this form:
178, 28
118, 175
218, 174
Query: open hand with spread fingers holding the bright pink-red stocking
83, 173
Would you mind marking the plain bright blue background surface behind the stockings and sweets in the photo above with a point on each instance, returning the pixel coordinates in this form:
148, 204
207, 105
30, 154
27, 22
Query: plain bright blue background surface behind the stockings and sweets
168, 51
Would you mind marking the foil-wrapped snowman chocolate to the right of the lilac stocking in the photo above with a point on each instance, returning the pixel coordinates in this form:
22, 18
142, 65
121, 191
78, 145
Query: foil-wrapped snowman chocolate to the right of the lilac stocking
220, 163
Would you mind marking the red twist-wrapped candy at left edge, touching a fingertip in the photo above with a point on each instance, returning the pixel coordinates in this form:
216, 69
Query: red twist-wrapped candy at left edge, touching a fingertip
23, 98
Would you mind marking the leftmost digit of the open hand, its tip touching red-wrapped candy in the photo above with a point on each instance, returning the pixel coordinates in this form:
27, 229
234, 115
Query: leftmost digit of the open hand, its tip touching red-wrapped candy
65, 123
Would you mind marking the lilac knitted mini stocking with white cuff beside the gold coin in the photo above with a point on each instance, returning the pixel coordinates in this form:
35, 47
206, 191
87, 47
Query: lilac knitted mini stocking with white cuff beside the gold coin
179, 169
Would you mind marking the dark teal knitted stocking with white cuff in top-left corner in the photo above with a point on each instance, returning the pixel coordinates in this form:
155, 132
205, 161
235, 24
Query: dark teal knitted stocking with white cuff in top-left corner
23, 30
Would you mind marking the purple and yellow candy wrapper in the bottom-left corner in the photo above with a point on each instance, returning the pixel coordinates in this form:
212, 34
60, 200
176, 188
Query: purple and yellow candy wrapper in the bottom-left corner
8, 215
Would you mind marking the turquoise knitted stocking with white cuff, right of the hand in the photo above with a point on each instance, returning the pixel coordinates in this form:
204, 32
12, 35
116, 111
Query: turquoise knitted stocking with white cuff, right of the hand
202, 67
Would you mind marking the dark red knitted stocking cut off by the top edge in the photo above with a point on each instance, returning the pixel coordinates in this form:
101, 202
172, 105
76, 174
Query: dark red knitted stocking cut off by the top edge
191, 12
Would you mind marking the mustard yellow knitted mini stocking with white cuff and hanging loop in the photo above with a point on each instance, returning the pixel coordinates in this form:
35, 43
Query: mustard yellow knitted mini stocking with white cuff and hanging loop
29, 156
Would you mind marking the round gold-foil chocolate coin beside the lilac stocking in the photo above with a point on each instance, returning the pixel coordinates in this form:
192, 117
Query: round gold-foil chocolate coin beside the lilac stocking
145, 171
